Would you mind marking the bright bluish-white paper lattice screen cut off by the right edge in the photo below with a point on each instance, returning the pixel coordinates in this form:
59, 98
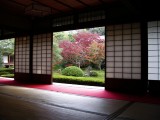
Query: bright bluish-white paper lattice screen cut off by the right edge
154, 50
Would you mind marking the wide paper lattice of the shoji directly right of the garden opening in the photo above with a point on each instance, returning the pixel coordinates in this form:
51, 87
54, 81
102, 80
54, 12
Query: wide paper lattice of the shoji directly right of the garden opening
123, 51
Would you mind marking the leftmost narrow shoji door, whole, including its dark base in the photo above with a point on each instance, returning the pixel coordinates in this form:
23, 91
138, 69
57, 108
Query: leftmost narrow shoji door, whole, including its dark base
22, 58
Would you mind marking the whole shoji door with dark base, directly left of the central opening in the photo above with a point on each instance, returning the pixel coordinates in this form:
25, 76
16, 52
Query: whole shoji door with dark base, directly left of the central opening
42, 58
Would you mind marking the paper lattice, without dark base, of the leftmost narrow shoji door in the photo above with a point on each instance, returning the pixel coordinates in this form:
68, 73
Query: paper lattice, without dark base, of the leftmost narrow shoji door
22, 51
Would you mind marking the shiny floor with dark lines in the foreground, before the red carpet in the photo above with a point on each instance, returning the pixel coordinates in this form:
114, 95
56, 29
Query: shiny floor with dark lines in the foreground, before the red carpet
19, 103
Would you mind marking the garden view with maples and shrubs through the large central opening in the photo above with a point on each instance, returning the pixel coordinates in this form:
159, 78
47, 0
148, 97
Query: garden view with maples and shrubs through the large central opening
79, 56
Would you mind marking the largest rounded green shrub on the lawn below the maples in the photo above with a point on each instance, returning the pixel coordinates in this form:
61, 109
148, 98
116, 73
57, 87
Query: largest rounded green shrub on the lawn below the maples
72, 71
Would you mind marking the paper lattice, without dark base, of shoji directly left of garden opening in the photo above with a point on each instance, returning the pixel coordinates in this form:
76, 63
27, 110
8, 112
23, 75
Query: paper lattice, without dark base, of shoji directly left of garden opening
42, 47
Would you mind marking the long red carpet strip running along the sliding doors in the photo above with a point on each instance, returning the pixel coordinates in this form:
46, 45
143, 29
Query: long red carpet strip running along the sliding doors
100, 93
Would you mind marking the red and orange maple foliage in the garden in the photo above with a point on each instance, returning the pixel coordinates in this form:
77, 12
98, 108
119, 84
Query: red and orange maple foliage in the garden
86, 47
